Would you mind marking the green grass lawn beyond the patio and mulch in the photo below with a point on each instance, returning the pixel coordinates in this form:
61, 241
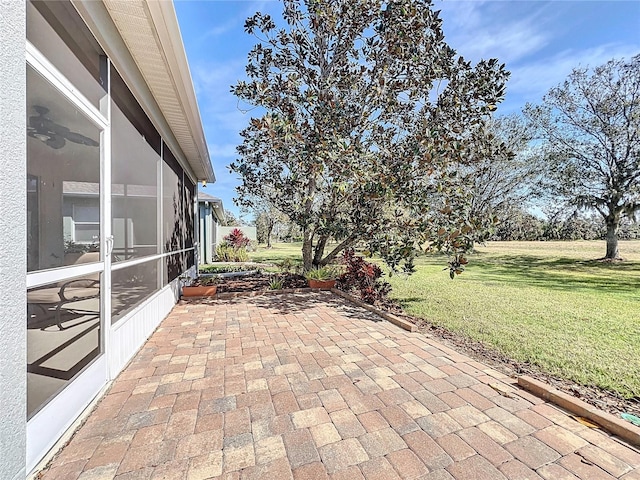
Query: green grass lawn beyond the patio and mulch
547, 303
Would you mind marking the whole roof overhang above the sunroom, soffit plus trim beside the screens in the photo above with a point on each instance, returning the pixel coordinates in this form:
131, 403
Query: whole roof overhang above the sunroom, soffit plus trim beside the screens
142, 39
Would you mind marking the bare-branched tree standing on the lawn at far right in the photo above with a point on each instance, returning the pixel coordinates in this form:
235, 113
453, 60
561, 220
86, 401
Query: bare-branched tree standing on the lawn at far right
590, 126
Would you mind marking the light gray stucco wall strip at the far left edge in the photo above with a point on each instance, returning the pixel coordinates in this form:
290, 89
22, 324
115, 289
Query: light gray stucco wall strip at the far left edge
13, 263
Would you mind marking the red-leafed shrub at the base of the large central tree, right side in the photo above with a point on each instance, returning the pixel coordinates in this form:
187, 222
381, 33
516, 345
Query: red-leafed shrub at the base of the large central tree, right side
363, 277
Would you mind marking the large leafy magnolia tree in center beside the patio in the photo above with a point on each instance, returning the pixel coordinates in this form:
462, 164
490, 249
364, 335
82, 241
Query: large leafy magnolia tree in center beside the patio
368, 117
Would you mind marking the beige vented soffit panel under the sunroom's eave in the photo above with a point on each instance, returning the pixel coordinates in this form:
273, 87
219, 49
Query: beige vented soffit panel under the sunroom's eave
150, 30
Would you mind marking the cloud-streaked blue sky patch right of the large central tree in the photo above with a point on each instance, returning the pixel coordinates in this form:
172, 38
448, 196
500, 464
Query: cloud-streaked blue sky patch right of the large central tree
540, 42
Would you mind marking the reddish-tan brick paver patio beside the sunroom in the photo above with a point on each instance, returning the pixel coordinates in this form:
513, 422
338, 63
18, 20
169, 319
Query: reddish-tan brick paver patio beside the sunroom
308, 386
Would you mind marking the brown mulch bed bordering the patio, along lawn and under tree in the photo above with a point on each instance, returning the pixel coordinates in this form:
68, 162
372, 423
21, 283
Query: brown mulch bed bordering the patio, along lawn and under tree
603, 399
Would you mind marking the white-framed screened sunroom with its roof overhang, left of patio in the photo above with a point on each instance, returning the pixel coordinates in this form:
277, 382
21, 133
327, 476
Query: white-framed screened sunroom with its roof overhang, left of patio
113, 152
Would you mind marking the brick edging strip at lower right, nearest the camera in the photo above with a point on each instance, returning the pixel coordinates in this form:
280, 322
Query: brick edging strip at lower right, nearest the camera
611, 423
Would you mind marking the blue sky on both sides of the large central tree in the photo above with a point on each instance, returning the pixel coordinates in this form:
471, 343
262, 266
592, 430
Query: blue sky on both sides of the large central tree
540, 42
